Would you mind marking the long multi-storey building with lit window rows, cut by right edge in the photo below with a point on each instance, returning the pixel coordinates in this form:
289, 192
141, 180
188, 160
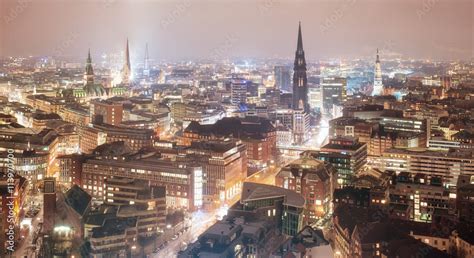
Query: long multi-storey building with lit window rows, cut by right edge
445, 165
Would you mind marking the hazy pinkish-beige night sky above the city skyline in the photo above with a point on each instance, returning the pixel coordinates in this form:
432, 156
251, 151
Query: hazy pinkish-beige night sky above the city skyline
177, 29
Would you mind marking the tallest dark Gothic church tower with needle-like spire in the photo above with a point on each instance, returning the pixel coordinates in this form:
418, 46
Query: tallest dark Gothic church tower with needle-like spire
300, 80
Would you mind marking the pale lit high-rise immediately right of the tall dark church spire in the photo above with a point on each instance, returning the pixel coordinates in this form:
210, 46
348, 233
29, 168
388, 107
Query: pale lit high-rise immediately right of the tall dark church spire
333, 91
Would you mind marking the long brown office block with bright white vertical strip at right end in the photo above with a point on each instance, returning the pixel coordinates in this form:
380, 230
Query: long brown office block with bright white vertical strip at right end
183, 182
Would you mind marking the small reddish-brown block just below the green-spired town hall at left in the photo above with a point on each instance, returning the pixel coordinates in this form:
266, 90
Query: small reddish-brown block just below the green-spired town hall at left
107, 112
